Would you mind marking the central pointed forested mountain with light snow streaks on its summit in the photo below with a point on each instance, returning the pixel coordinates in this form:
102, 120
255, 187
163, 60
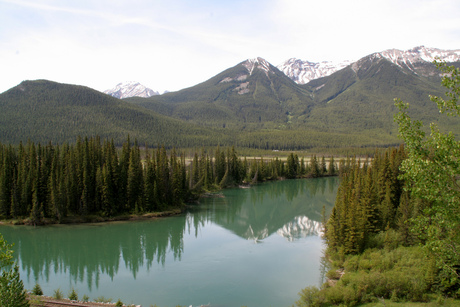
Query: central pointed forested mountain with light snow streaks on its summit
251, 95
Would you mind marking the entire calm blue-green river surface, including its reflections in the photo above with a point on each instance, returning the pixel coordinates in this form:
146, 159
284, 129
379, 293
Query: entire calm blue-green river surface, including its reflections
252, 247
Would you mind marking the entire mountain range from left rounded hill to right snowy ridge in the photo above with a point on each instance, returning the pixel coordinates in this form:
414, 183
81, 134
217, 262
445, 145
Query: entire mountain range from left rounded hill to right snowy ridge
253, 104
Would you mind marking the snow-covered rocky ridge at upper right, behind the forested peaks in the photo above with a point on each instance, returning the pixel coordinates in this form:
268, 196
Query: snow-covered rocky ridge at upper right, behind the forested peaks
413, 59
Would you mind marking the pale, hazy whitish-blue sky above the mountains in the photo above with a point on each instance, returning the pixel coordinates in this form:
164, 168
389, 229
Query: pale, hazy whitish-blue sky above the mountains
174, 44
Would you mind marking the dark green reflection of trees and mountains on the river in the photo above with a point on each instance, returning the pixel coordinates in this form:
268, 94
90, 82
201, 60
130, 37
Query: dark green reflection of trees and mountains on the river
84, 253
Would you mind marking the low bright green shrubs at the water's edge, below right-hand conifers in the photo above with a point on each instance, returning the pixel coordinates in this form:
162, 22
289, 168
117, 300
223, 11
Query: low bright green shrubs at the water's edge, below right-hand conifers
398, 275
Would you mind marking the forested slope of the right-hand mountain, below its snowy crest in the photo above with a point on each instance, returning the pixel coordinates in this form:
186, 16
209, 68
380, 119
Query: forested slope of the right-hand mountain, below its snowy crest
360, 97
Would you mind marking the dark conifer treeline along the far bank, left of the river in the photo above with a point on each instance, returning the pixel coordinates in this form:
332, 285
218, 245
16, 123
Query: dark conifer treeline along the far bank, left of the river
93, 177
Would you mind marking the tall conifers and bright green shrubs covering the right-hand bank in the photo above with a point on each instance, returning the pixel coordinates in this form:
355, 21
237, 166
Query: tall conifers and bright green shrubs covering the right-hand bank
377, 242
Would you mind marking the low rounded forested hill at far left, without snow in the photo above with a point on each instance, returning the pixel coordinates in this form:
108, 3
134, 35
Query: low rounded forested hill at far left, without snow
46, 111
